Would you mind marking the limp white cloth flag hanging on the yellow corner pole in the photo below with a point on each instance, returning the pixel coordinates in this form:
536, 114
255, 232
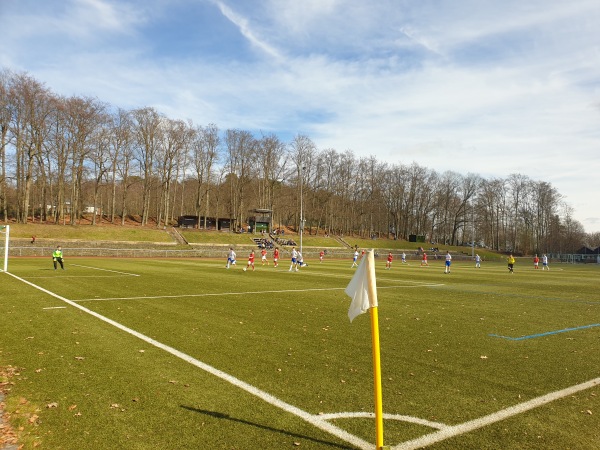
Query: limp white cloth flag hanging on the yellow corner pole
362, 287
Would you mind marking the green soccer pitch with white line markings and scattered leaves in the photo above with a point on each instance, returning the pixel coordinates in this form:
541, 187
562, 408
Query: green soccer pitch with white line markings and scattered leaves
166, 353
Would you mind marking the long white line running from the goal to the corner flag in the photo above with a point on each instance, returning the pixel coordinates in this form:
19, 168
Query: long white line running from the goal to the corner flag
314, 420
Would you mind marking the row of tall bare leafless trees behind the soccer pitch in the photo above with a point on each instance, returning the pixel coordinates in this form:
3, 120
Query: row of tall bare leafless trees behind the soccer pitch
61, 157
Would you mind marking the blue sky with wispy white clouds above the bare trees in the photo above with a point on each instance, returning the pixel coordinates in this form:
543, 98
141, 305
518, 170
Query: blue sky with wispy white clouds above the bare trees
482, 86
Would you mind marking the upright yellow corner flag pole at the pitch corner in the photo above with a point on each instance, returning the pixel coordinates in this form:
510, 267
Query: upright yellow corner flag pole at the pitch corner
372, 289
